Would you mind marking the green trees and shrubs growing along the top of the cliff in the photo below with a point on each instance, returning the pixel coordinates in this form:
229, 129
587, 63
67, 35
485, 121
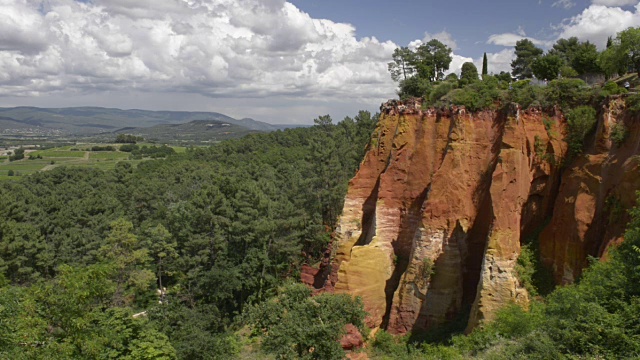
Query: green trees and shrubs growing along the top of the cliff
420, 73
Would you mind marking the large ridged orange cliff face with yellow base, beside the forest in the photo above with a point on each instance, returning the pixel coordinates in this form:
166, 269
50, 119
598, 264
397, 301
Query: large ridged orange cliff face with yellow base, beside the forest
433, 219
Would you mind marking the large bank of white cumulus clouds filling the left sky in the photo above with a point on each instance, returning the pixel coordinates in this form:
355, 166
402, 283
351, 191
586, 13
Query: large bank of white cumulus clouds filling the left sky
219, 49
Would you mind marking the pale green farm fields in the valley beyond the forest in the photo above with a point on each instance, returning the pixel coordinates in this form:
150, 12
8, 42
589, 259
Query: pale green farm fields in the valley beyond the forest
77, 156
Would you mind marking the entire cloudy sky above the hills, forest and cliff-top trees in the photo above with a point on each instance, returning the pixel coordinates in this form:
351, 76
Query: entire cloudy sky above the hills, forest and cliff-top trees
272, 60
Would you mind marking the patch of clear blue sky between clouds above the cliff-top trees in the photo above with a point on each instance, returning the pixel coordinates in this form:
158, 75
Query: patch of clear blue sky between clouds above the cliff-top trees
469, 22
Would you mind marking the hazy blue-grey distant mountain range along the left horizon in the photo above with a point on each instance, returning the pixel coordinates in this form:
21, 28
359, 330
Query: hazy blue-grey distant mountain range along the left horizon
94, 120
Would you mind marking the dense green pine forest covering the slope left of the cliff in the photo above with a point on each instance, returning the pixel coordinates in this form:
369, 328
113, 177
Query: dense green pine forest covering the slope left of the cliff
85, 253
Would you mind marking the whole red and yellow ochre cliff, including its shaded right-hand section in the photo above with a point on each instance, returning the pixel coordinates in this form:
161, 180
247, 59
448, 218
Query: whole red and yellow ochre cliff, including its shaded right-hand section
434, 219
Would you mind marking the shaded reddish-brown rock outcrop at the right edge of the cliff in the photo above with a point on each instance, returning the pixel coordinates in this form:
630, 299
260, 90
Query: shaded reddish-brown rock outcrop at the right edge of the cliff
596, 190
